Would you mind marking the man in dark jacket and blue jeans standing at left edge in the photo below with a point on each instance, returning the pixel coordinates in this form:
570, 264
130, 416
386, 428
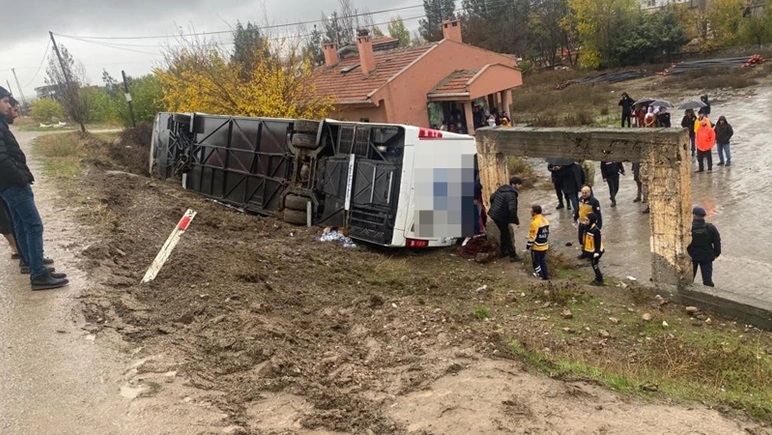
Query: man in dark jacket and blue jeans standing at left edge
20, 221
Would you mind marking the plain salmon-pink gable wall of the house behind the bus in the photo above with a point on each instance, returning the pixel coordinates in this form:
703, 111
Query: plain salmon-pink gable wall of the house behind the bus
405, 96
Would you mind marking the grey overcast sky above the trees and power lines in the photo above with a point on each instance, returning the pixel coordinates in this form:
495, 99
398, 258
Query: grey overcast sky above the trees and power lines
24, 31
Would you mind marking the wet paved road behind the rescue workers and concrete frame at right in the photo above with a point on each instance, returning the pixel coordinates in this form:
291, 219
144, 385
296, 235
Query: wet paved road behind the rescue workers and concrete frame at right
735, 198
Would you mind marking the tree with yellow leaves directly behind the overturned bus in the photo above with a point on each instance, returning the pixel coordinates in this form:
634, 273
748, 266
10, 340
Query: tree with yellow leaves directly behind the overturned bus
200, 77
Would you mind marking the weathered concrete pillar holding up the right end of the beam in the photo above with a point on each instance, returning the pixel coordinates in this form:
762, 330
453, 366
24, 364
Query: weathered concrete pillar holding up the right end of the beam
669, 182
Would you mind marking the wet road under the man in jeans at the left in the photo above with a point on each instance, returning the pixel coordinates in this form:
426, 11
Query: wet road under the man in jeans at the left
55, 377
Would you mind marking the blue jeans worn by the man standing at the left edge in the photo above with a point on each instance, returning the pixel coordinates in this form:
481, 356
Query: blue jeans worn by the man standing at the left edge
27, 227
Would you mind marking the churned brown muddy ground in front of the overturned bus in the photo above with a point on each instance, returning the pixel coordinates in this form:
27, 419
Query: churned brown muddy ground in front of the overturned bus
288, 335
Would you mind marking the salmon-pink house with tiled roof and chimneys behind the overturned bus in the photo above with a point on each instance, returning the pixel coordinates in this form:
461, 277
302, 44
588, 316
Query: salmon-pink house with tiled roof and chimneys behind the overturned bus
425, 85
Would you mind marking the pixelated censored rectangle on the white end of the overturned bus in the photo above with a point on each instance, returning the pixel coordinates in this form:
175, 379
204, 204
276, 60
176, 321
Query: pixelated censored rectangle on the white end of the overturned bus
444, 191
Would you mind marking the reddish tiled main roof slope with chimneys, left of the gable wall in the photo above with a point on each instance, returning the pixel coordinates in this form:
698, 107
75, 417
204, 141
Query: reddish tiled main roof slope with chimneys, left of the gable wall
354, 86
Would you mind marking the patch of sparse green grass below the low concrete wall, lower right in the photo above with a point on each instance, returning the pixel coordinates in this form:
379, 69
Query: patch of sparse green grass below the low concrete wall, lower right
605, 340
